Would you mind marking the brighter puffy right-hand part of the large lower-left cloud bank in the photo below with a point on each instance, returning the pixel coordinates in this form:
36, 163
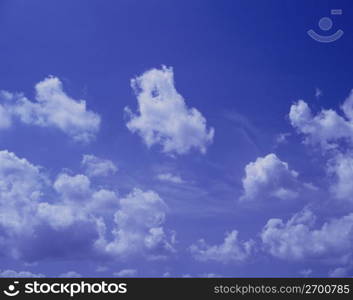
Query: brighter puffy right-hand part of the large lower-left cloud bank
137, 219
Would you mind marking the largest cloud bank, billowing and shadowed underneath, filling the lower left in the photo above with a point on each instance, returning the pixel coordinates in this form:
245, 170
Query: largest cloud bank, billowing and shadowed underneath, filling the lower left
76, 215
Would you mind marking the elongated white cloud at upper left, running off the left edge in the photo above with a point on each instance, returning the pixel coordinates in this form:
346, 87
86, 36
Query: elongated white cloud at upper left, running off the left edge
52, 108
